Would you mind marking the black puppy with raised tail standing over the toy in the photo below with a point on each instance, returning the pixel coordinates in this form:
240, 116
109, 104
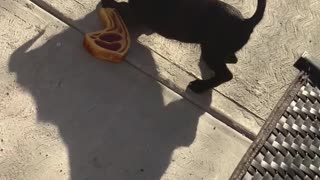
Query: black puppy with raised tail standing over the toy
218, 27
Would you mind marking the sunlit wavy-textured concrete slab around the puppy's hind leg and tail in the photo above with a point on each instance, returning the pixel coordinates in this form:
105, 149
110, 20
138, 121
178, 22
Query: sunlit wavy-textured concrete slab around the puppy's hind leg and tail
264, 69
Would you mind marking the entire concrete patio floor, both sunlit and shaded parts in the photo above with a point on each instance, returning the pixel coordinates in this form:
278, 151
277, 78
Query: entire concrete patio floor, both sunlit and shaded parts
64, 115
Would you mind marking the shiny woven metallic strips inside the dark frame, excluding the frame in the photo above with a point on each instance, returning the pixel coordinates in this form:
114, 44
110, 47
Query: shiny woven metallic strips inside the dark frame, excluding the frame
293, 148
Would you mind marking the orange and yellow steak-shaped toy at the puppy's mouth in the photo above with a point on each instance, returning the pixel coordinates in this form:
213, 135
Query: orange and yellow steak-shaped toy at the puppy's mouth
112, 43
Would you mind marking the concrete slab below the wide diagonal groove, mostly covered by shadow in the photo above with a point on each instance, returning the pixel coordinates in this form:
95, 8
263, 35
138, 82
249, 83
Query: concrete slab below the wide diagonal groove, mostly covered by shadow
64, 115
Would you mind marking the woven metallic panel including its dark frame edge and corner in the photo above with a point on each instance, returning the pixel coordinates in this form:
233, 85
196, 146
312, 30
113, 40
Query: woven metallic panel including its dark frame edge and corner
288, 145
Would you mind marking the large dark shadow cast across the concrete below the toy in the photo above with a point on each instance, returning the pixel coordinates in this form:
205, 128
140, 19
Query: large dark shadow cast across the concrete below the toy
114, 119
